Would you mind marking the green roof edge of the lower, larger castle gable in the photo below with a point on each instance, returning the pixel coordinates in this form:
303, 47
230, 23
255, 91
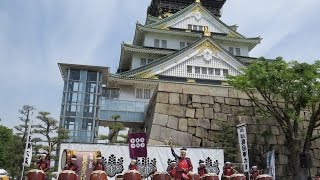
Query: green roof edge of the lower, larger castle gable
160, 61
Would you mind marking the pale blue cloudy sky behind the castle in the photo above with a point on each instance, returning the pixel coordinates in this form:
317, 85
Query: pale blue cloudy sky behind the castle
37, 34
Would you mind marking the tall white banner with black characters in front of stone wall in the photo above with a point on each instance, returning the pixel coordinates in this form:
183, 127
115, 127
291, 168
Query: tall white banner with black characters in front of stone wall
242, 136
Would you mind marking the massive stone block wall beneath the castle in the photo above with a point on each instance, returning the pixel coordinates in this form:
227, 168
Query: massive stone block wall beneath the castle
193, 115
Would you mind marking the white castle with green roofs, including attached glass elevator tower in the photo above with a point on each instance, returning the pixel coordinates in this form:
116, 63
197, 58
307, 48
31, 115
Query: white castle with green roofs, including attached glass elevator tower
182, 41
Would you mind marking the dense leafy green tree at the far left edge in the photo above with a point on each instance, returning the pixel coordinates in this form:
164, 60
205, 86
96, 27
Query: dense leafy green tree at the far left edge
11, 151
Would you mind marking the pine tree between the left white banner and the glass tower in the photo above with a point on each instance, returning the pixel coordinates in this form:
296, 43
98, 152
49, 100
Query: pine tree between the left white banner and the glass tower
48, 127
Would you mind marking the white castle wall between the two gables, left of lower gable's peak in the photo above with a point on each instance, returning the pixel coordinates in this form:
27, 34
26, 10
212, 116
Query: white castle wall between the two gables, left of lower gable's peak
173, 42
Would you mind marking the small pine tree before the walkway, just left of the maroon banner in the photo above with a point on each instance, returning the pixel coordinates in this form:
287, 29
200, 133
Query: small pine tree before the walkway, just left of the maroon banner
114, 130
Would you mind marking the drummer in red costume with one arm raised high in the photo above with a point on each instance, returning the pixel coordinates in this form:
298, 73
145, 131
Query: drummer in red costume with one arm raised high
184, 163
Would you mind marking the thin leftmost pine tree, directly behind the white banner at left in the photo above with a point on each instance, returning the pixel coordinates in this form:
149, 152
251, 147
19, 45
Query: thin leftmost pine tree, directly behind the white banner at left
22, 129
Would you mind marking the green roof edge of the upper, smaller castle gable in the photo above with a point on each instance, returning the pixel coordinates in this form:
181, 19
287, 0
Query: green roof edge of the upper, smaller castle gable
190, 8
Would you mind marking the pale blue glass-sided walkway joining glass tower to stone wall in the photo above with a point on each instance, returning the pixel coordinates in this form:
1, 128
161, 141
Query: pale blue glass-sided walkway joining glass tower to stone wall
129, 111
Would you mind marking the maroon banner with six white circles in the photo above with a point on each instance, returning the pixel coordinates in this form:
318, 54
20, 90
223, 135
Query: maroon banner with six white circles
137, 145
